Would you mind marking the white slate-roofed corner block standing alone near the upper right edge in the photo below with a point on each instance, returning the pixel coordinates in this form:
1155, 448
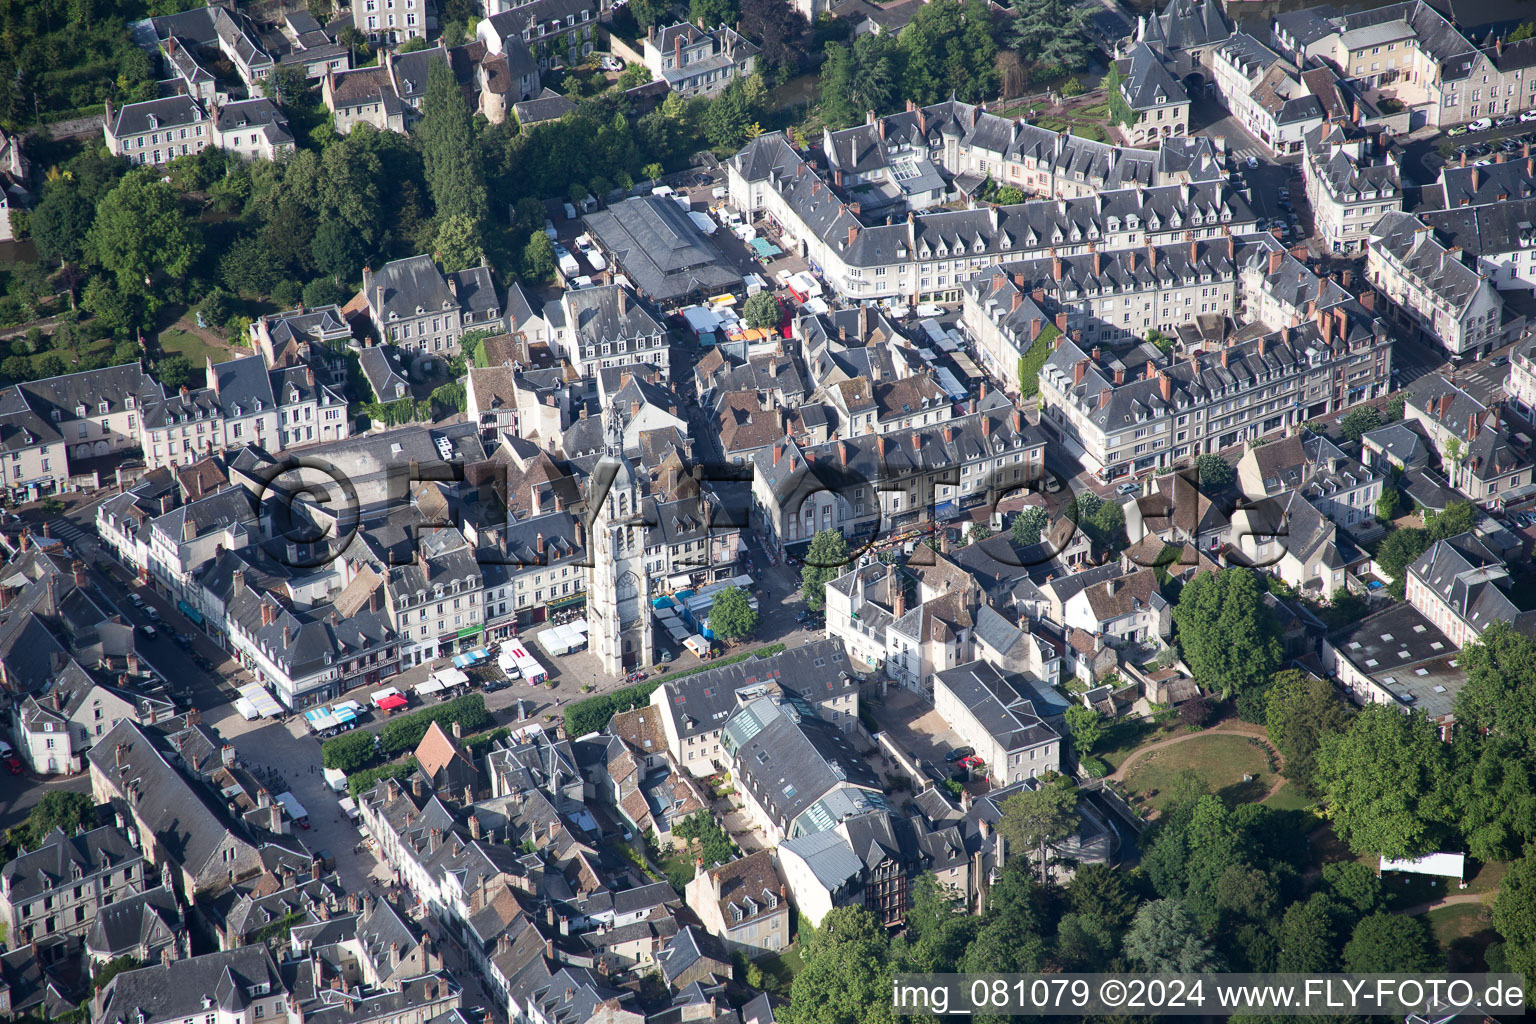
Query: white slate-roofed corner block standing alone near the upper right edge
1352, 180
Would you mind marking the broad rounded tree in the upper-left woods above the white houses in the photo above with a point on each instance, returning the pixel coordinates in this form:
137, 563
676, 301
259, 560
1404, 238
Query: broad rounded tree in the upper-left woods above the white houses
142, 234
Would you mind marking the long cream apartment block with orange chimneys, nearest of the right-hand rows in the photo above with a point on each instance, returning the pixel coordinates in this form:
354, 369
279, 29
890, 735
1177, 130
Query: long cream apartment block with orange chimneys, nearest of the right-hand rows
1148, 412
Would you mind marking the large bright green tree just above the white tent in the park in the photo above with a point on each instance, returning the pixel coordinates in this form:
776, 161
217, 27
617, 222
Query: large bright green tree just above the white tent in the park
1386, 784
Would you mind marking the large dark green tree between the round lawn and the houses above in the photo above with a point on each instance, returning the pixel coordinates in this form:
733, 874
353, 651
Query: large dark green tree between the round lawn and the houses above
1226, 633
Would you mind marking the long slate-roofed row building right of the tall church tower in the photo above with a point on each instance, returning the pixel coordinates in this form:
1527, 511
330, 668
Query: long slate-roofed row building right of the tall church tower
875, 481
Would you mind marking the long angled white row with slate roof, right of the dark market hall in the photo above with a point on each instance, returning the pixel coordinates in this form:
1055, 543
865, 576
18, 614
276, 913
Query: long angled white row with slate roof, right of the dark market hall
932, 256
